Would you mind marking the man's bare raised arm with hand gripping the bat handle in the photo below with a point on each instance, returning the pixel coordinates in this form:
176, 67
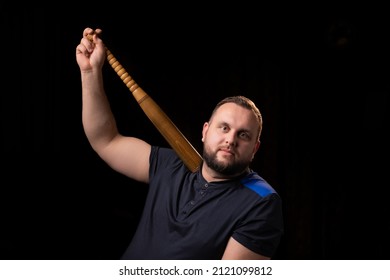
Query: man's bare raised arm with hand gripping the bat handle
127, 155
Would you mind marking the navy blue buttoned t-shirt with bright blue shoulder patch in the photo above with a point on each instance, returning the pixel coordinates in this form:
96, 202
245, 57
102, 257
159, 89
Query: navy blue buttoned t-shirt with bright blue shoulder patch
186, 217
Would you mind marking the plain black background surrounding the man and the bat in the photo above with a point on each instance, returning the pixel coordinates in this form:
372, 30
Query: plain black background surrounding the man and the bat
319, 74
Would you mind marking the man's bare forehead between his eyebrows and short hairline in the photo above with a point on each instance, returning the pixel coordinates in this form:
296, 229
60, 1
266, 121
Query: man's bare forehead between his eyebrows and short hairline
232, 113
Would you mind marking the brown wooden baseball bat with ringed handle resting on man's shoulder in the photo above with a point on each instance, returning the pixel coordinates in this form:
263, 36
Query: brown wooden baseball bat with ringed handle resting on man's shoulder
157, 116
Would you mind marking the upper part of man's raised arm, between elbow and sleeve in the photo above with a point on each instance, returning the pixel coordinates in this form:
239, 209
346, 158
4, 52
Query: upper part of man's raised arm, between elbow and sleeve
128, 156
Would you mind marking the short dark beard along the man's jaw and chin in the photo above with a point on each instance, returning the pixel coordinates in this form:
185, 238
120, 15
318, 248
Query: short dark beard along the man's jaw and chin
228, 169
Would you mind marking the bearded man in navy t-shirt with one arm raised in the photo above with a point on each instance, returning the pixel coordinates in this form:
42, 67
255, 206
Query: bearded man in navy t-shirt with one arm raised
222, 211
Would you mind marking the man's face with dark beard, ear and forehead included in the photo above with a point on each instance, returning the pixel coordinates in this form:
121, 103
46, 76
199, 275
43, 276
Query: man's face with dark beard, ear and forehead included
230, 139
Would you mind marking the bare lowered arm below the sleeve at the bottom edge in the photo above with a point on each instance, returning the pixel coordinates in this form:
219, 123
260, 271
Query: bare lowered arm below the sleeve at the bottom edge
236, 251
